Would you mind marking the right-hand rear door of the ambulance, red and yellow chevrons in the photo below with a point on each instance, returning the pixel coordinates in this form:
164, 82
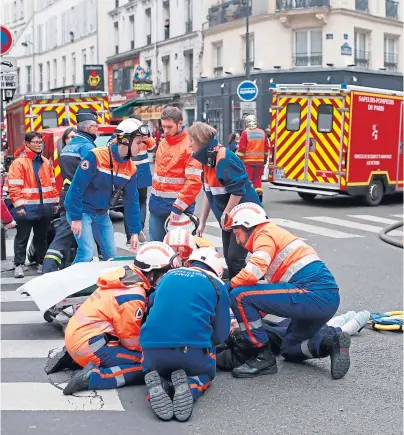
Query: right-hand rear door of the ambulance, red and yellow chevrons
325, 140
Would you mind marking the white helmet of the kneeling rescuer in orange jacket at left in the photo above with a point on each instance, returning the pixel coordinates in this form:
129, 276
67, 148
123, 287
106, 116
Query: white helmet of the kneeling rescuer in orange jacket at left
156, 255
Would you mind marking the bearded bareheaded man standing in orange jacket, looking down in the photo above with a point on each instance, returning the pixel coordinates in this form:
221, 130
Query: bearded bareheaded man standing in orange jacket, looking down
177, 175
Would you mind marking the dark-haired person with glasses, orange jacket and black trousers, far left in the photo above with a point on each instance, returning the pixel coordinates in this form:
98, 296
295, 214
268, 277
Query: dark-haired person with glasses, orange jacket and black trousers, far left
32, 190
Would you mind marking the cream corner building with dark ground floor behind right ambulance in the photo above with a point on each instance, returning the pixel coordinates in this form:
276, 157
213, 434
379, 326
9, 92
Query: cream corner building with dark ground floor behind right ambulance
295, 41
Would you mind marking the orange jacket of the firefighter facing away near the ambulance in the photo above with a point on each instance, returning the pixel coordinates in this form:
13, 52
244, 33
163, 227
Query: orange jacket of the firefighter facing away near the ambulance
253, 147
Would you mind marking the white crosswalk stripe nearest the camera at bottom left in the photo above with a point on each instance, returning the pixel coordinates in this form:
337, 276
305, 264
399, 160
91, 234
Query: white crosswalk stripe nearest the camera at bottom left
37, 396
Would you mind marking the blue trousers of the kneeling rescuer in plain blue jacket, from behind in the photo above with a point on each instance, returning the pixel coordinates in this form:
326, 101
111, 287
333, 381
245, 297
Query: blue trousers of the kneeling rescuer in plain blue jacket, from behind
198, 364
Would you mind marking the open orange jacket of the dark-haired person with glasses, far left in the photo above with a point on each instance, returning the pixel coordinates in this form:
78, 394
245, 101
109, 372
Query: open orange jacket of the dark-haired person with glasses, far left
38, 199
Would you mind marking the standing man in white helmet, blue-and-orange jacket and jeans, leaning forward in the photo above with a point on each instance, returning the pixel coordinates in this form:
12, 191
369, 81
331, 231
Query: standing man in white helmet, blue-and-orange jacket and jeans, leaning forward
99, 182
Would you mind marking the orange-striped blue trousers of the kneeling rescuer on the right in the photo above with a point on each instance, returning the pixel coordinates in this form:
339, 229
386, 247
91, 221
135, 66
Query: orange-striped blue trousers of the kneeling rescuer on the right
309, 312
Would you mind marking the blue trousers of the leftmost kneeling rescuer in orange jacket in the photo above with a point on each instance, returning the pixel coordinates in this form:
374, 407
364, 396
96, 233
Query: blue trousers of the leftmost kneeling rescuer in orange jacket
118, 366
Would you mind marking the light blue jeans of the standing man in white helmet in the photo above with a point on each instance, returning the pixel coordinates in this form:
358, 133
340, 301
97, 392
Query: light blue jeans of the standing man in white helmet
99, 226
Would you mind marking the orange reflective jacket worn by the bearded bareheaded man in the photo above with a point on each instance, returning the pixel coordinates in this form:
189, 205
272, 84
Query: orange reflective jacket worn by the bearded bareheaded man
177, 176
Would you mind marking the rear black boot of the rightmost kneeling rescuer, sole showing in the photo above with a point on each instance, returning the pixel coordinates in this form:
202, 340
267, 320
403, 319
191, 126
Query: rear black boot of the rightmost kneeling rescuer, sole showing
337, 346
